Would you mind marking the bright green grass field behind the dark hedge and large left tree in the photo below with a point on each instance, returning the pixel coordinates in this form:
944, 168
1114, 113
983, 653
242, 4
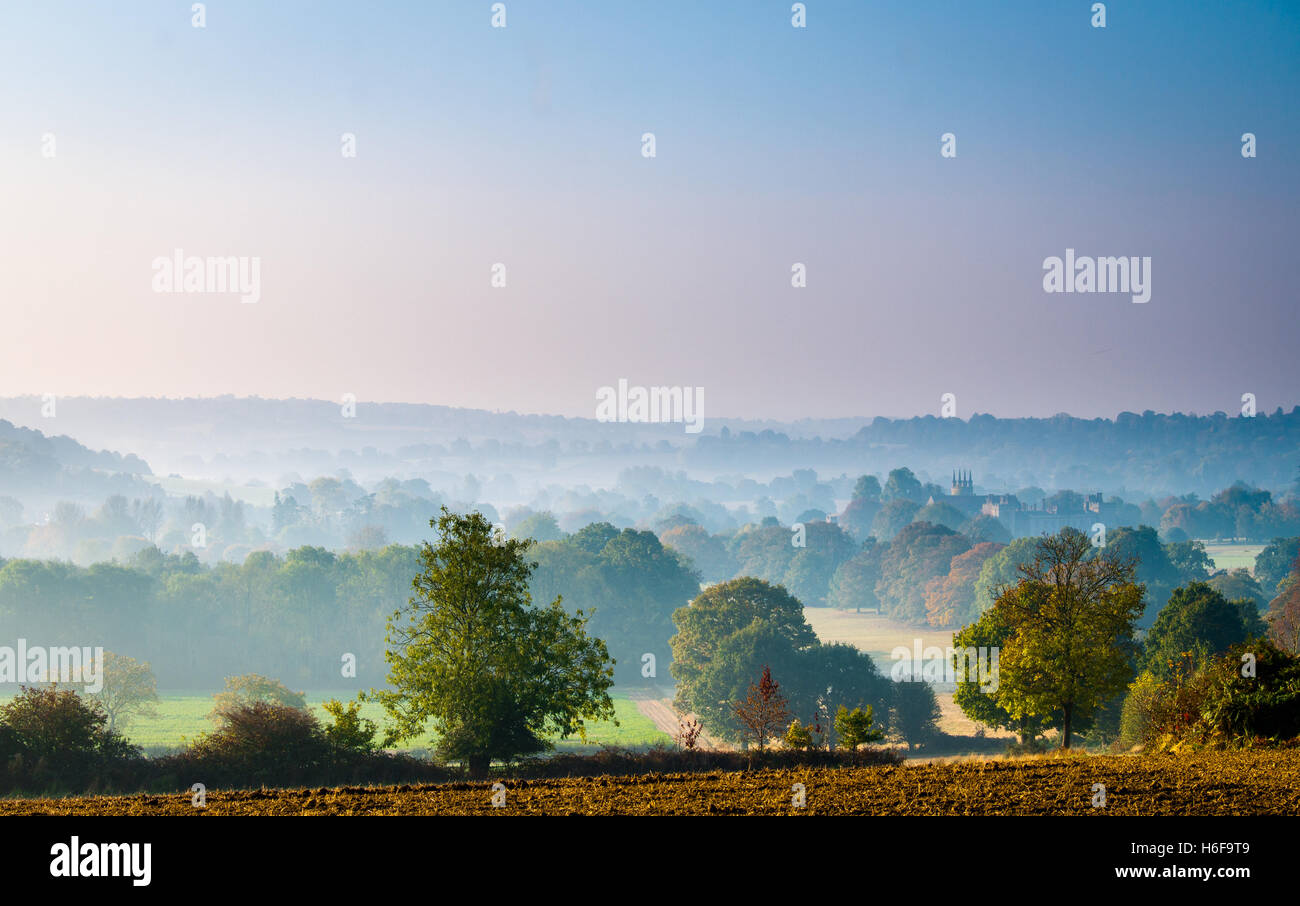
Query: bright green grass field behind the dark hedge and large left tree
184, 716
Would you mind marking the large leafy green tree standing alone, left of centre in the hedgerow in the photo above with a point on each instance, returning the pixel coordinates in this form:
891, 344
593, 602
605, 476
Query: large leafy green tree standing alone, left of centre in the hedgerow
471, 653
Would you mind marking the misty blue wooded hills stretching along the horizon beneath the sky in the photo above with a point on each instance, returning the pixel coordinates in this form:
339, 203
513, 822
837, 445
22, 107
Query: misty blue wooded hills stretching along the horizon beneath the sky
245, 439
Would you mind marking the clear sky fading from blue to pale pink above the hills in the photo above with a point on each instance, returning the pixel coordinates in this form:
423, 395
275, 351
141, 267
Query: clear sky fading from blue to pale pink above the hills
523, 146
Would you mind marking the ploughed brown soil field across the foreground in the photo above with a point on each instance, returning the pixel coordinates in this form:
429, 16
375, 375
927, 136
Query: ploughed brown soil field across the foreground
1245, 783
